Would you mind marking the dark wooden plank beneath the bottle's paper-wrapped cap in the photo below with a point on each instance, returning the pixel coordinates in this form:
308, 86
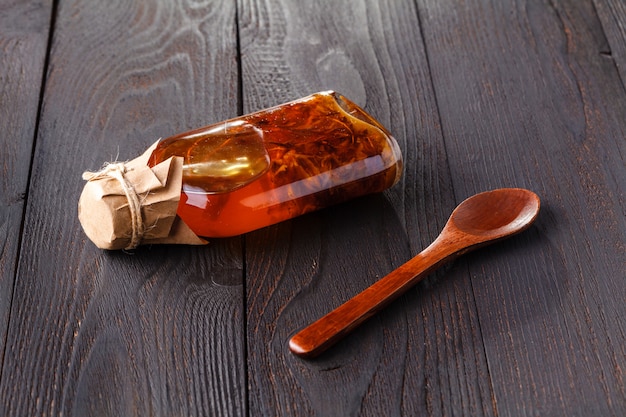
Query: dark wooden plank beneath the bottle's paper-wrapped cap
158, 332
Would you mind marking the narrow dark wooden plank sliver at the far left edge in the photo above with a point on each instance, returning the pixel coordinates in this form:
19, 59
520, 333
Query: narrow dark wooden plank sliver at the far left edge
24, 28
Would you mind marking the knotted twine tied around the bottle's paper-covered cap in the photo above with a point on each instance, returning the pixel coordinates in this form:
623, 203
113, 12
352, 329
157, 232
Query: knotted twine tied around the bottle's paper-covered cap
117, 170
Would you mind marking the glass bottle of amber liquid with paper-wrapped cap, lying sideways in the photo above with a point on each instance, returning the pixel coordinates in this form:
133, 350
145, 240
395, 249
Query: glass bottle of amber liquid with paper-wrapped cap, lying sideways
240, 175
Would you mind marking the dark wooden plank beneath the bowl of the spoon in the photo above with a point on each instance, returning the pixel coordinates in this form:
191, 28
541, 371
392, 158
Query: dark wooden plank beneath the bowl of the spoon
526, 100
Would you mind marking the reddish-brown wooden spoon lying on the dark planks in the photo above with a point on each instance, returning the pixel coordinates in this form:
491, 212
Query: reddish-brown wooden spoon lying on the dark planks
478, 221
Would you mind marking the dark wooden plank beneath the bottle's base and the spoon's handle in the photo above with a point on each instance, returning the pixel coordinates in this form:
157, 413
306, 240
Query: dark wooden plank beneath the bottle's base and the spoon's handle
423, 354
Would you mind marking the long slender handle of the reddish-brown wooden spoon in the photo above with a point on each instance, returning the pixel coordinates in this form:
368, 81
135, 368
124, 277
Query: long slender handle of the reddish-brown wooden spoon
323, 333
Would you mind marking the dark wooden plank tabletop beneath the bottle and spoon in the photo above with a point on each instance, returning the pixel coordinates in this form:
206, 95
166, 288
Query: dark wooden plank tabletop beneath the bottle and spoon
480, 94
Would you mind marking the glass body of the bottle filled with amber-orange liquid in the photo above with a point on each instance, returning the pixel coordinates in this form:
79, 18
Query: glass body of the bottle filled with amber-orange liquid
276, 164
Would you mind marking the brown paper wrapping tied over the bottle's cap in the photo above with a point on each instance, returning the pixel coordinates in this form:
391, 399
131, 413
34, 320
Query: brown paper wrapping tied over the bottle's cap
106, 211
